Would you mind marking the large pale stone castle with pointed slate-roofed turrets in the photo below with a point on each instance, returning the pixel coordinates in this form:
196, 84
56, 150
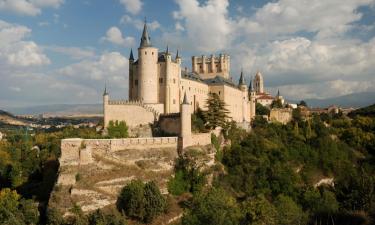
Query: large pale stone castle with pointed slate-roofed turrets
158, 84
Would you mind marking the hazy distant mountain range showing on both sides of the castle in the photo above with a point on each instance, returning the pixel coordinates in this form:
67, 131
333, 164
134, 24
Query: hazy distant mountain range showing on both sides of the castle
356, 100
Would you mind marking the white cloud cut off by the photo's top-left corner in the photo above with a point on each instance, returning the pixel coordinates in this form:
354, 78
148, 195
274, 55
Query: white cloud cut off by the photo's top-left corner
28, 7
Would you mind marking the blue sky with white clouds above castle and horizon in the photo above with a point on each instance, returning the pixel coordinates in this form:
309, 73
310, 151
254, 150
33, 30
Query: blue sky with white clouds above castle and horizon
64, 51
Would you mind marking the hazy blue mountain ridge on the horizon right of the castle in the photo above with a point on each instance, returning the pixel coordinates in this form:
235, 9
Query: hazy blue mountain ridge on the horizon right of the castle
355, 100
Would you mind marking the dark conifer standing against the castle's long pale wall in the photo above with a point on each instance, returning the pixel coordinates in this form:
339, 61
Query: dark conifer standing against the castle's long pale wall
216, 114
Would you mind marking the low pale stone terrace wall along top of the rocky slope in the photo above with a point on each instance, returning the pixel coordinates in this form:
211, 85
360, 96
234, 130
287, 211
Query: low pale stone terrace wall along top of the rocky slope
77, 151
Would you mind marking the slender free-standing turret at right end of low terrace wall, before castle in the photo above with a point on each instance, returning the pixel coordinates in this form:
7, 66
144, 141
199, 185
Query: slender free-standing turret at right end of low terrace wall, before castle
185, 133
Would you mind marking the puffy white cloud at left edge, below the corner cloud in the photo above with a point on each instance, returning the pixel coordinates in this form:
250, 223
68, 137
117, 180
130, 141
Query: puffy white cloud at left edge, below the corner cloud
15, 51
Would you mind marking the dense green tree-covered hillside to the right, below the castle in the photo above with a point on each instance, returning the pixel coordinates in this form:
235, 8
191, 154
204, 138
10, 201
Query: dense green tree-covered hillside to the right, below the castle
273, 173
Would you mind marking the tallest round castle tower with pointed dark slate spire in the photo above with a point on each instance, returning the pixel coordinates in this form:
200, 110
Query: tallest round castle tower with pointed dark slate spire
147, 69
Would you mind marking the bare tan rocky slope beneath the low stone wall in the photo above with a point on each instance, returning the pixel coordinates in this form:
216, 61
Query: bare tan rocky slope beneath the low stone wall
96, 183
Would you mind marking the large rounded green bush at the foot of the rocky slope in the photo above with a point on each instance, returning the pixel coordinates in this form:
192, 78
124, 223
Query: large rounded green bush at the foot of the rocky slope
141, 201
